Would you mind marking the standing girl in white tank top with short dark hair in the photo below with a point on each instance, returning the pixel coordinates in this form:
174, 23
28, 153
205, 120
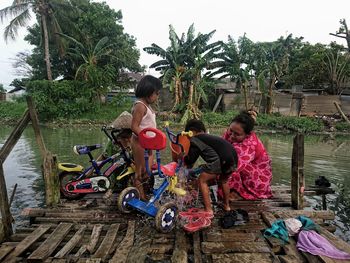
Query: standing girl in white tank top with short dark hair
143, 116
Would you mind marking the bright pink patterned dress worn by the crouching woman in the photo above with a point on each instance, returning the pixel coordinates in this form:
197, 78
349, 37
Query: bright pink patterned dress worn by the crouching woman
252, 178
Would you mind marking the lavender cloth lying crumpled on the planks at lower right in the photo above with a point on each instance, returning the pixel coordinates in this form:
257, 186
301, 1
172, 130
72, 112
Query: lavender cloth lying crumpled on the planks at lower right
315, 244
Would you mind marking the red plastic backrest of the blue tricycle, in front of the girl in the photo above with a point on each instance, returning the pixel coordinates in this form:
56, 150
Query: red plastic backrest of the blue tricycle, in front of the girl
152, 139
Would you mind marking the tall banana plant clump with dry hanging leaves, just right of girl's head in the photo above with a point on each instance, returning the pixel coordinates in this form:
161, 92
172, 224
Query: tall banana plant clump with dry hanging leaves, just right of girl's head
183, 65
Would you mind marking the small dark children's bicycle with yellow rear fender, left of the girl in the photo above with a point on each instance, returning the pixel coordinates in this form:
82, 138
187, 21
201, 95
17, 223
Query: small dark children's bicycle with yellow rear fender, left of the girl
111, 172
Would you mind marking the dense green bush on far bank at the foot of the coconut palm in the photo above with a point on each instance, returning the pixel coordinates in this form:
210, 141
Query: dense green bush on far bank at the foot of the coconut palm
61, 99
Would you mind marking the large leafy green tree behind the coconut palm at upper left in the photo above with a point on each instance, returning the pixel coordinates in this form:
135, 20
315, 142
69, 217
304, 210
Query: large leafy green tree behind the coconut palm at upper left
93, 22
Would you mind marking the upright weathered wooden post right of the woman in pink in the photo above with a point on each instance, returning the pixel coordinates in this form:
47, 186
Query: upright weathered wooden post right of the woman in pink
298, 180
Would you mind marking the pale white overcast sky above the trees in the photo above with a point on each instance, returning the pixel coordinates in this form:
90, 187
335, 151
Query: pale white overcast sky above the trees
148, 21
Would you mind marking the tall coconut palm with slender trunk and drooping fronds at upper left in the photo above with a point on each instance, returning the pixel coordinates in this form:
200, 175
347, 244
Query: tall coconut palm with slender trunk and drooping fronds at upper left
45, 10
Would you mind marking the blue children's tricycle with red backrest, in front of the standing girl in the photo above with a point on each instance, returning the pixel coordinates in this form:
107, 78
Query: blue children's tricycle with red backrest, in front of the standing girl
165, 215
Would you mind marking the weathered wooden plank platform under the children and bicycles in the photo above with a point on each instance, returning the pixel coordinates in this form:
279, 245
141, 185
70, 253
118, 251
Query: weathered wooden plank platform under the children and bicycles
91, 231
